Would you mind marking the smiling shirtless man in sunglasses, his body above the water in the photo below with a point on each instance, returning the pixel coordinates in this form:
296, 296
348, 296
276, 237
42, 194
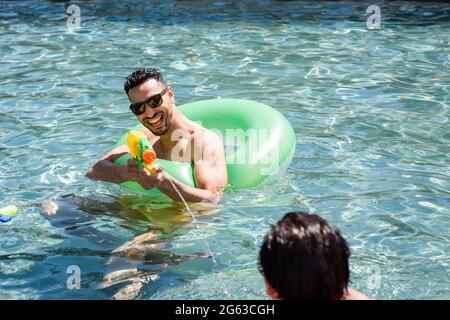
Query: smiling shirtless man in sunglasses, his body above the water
174, 137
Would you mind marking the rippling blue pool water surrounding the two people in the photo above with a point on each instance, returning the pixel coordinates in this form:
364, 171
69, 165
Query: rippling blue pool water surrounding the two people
369, 108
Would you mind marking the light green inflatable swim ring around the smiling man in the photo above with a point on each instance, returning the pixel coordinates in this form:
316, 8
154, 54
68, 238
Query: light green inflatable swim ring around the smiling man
259, 142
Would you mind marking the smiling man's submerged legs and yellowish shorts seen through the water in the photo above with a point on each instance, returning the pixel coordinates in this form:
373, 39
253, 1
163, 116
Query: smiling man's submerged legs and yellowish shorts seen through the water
139, 260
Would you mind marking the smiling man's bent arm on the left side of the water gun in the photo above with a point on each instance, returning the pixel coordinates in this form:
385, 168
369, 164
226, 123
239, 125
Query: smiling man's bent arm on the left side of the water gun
106, 170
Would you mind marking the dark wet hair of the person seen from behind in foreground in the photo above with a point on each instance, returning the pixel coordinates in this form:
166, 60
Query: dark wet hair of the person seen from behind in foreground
303, 257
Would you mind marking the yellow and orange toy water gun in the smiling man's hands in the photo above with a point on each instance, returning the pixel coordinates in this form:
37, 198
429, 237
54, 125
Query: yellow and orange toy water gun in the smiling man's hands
141, 150
